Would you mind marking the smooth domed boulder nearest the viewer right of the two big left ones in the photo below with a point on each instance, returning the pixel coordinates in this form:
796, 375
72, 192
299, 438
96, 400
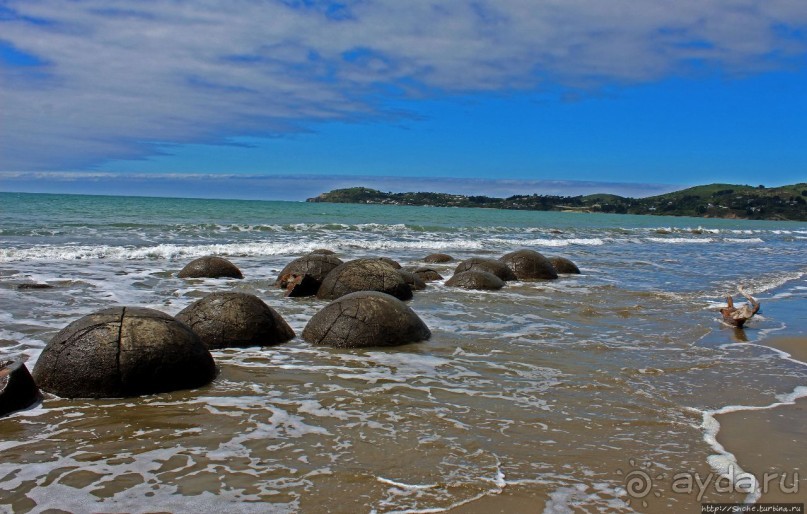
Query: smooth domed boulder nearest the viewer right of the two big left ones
365, 319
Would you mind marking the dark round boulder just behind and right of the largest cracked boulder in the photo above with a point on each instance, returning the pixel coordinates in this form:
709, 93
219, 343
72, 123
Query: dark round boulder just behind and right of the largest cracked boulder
226, 320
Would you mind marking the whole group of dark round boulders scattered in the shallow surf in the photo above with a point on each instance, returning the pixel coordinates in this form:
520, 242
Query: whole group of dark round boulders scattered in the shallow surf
128, 351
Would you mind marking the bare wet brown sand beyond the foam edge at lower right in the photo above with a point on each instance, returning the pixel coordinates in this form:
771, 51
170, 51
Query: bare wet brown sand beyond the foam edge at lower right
772, 440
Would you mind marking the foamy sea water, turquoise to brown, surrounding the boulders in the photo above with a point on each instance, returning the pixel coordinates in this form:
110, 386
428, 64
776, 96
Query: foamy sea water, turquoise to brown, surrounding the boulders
549, 396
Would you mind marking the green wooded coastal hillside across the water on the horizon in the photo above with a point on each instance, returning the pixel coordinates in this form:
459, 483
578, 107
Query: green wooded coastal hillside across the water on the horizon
709, 201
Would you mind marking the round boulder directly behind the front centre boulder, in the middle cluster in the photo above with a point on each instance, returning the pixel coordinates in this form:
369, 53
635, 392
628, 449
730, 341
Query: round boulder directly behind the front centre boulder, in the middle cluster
364, 275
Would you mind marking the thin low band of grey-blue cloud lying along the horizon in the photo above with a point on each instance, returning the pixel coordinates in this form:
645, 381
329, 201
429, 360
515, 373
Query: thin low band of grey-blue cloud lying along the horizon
296, 187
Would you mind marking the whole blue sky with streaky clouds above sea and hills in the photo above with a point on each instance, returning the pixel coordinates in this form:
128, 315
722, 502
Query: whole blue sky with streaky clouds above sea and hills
285, 99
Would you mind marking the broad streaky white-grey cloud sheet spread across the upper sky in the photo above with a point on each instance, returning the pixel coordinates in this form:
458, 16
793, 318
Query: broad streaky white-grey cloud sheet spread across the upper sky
105, 79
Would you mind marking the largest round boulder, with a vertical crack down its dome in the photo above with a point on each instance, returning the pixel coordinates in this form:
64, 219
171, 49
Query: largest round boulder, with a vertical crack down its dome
123, 351
